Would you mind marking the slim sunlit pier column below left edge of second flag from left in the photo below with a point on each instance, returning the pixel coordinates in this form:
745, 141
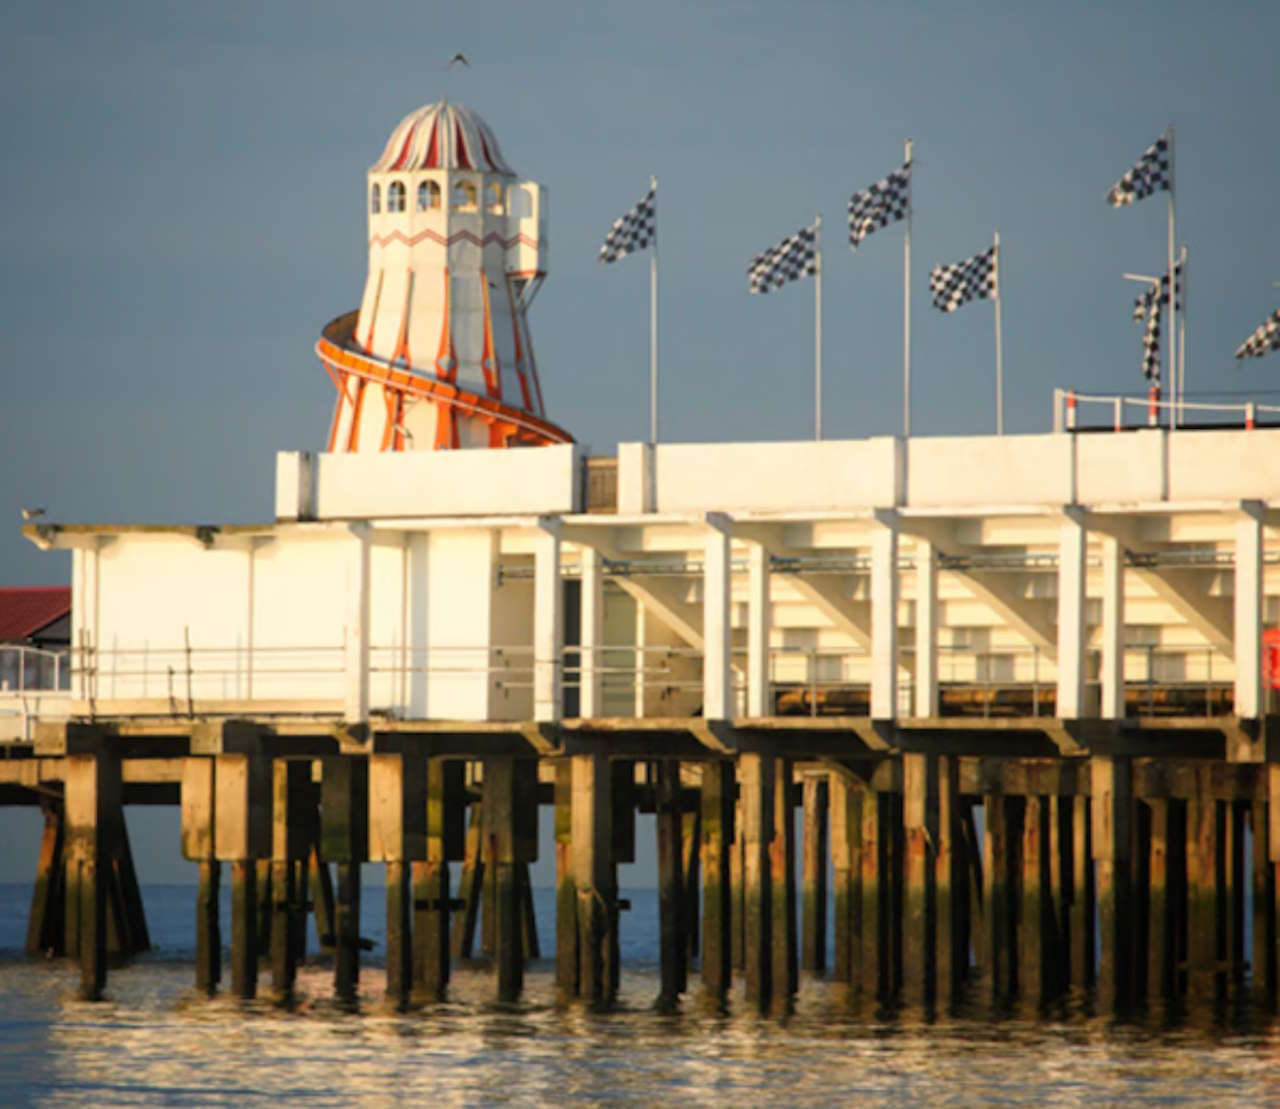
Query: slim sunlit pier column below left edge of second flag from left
756, 787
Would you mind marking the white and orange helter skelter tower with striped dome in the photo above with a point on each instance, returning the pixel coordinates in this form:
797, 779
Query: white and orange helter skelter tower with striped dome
440, 354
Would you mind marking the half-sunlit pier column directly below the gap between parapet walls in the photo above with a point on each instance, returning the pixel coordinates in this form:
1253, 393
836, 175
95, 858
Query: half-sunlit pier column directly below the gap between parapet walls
593, 877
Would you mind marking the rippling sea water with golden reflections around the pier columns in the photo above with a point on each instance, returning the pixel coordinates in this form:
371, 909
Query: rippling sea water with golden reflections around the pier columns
156, 1042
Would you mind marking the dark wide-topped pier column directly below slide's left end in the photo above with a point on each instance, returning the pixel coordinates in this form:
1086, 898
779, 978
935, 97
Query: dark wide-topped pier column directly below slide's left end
345, 841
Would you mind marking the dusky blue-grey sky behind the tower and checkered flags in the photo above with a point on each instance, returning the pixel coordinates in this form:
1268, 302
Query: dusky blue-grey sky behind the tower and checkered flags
182, 211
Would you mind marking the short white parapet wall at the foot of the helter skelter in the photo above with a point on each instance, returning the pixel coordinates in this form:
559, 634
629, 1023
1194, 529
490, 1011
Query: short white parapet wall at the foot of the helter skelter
427, 483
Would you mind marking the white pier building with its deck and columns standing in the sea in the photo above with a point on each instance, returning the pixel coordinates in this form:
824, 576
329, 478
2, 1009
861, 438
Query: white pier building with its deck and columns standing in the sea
1004, 704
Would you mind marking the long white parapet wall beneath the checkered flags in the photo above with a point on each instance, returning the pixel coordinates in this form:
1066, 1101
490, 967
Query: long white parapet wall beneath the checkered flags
1132, 468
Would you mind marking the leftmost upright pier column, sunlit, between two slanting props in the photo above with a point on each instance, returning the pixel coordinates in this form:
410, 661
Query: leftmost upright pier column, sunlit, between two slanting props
95, 822
